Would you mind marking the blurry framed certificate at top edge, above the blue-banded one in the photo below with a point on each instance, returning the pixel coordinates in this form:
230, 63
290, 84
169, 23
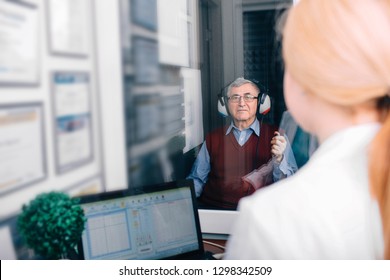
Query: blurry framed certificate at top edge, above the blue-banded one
68, 27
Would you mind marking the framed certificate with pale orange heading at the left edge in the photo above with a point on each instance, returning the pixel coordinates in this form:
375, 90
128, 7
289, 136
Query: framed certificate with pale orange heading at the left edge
22, 147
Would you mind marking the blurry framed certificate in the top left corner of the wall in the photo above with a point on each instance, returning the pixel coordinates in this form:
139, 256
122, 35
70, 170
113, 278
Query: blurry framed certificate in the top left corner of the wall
19, 43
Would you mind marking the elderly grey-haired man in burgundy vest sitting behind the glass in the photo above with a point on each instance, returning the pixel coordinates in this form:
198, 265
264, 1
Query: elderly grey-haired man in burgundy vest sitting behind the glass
231, 152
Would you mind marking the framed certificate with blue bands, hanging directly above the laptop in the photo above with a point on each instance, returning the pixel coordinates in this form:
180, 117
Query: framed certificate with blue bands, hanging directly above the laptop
72, 113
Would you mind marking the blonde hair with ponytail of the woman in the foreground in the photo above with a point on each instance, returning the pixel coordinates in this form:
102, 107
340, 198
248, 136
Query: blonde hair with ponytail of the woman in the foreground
340, 51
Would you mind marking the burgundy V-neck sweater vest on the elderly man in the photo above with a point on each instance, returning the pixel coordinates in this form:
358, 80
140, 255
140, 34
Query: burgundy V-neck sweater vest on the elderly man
229, 162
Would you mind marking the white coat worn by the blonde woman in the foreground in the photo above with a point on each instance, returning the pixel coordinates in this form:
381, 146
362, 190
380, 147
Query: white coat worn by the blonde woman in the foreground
324, 211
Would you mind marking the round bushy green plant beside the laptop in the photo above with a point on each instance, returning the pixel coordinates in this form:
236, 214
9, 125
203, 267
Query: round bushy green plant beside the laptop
51, 224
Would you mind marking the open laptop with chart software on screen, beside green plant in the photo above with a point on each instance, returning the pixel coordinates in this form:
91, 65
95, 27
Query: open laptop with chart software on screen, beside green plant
153, 222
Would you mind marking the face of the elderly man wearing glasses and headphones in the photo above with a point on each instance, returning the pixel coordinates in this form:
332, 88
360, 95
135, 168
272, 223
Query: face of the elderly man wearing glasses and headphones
243, 112
